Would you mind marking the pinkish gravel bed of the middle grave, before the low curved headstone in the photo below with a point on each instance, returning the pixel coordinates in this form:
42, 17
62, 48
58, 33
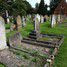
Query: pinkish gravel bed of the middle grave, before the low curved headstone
35, 49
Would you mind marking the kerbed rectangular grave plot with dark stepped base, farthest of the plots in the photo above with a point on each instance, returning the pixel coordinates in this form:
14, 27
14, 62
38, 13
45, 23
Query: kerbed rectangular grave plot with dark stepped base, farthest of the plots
50, 39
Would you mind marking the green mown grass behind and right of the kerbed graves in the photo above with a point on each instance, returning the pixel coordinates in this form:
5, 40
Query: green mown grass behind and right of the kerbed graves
61, 58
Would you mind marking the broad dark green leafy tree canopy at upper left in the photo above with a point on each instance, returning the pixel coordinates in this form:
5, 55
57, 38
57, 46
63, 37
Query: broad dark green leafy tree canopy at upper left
15, 7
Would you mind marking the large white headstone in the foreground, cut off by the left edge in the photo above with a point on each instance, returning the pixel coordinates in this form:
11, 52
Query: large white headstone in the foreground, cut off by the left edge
3, 44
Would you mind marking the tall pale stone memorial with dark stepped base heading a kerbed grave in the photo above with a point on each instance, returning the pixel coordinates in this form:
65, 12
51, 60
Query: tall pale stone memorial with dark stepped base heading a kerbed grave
36, 33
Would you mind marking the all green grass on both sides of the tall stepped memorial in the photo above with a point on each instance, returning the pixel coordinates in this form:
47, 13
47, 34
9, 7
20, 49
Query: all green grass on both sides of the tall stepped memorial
61, 58
